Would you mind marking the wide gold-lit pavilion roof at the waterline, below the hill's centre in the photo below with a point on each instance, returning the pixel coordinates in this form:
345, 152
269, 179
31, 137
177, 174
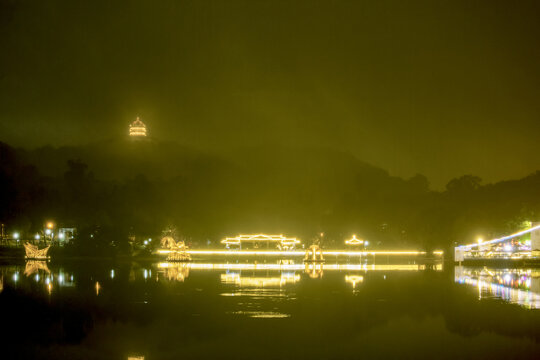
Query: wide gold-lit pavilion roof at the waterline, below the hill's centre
260, 241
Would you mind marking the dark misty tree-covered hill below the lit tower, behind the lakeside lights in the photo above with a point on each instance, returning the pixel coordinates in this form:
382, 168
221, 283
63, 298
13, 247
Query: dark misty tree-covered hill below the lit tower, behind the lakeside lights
317, 194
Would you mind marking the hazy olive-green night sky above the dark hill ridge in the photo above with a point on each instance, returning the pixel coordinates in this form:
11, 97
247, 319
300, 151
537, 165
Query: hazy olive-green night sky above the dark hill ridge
441, 88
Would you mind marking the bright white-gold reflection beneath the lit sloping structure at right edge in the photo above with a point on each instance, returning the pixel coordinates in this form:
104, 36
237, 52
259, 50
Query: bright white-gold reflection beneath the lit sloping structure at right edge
517, 286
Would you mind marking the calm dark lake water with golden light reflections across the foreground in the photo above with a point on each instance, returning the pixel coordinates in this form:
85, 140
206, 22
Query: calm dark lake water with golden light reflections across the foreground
248, 310
